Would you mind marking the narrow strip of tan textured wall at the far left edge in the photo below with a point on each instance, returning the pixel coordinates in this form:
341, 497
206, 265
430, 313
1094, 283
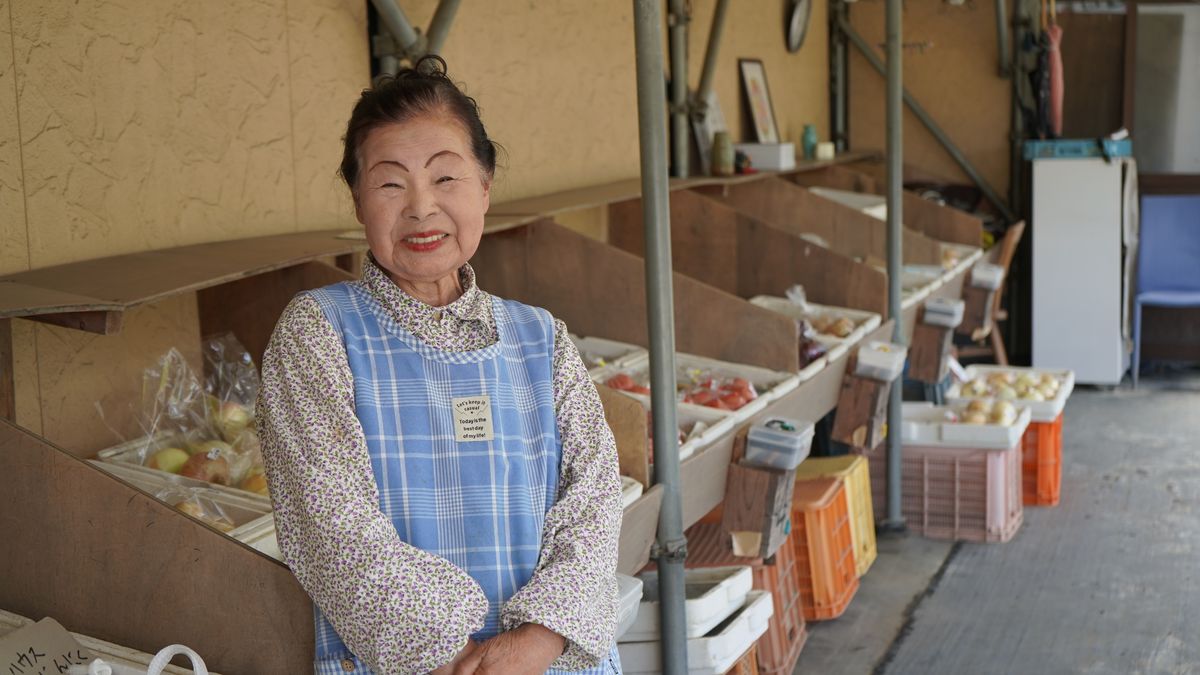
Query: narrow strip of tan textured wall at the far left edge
14, 230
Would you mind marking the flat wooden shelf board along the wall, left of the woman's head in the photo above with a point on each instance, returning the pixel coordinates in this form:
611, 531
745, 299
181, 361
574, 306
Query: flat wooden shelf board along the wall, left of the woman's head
119, 283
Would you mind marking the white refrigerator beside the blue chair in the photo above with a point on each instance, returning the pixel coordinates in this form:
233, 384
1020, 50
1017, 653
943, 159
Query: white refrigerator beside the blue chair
1084, 236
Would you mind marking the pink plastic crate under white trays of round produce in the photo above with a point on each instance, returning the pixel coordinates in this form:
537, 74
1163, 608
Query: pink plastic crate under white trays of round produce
959, 494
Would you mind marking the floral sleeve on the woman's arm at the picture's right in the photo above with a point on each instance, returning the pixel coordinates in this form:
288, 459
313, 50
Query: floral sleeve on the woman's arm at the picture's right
573, 592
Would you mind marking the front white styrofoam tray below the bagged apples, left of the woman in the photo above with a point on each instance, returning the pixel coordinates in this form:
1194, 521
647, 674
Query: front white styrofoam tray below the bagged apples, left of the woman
251, 515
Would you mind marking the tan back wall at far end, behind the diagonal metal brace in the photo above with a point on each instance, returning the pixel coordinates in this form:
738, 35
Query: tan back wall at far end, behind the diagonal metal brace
956, 81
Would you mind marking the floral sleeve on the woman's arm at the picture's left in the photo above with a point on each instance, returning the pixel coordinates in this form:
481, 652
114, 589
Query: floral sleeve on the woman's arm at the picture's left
398, 608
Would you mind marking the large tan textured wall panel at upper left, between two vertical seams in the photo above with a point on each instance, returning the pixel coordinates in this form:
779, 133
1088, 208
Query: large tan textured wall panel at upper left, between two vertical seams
152, 126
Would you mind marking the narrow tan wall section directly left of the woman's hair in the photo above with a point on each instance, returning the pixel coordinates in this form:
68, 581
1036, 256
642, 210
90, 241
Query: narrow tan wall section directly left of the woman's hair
328, 67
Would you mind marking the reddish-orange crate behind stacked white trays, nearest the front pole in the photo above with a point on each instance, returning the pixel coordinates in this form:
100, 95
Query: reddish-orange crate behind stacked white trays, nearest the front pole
779, 649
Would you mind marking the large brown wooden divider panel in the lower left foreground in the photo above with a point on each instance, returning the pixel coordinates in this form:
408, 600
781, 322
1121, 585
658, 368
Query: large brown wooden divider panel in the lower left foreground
113, 563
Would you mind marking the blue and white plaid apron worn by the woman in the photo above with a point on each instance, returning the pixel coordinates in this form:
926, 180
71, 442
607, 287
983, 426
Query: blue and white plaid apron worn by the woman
478, 504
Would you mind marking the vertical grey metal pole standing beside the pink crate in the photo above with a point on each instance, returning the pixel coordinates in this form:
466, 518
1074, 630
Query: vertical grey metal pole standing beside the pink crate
895, 101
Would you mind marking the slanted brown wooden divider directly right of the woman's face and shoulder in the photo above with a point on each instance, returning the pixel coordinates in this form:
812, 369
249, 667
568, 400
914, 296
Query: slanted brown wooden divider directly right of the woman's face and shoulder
599, 290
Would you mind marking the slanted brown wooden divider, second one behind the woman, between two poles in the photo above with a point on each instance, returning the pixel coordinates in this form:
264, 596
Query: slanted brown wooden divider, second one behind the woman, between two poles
715, 243
